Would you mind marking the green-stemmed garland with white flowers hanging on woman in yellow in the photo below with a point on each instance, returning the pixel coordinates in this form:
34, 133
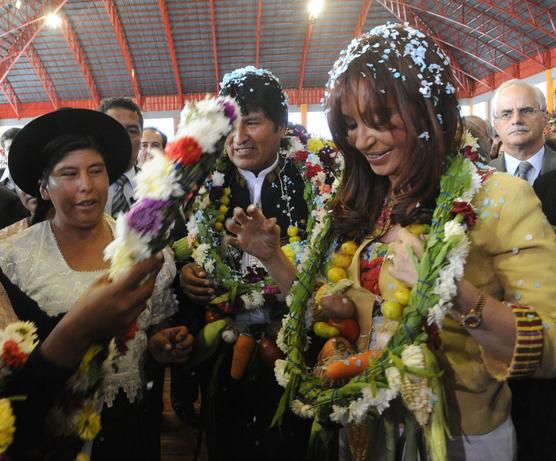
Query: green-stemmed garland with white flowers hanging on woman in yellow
406, 368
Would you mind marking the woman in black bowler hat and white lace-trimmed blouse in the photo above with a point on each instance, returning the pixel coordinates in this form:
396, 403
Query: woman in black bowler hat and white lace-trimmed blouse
67, 159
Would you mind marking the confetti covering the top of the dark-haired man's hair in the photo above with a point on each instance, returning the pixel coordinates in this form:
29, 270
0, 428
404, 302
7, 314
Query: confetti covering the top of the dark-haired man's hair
236, 79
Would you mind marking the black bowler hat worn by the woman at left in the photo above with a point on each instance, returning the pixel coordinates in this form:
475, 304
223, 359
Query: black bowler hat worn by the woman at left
27, 159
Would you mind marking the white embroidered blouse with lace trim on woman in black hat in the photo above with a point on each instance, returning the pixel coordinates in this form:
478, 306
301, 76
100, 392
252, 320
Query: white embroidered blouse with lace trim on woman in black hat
33, 261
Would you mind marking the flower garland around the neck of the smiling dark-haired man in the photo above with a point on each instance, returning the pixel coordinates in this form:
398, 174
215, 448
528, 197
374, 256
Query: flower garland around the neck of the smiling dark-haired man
318, 164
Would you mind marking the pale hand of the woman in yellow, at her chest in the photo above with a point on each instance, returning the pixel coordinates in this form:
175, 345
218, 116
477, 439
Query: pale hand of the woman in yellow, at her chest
402, 267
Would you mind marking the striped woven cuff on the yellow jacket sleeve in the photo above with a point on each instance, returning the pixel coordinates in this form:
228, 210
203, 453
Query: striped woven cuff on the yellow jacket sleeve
529, 341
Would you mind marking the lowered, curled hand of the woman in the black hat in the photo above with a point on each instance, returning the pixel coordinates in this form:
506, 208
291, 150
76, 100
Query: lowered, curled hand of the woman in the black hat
171, 345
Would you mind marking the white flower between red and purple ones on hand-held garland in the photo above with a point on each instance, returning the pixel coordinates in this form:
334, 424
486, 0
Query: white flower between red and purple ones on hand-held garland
158, 180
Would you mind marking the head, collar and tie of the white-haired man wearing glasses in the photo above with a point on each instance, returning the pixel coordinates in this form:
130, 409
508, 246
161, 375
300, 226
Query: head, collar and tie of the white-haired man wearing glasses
519, 112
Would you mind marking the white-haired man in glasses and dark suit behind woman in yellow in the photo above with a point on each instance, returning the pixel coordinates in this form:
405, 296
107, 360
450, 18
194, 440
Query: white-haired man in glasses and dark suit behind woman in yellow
519, 111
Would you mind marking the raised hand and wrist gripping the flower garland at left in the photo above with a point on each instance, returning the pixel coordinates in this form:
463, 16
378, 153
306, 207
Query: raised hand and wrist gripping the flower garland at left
105, 310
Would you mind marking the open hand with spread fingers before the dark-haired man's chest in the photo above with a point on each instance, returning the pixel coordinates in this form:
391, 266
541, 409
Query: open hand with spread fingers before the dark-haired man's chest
254, 233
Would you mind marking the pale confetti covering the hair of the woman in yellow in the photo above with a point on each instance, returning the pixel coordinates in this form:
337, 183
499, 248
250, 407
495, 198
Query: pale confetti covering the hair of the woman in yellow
390, 43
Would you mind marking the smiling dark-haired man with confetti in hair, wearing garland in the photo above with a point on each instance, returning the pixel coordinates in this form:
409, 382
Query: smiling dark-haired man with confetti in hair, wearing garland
258, 169
